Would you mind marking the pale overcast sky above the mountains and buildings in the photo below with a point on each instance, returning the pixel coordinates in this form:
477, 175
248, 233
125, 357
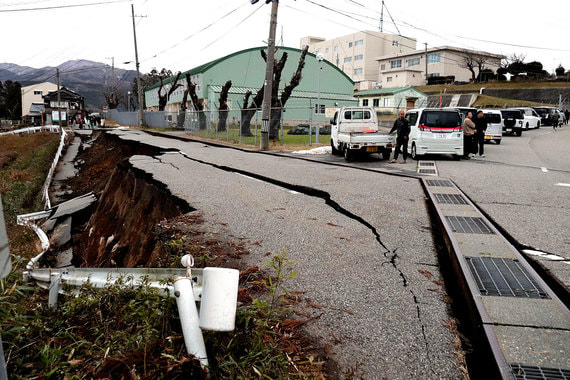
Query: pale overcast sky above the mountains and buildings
182, 34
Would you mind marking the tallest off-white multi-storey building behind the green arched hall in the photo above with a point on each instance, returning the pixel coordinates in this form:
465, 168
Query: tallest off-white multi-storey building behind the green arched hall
356, 54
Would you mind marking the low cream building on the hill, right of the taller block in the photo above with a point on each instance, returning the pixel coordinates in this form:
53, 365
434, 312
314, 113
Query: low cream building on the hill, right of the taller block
409, 68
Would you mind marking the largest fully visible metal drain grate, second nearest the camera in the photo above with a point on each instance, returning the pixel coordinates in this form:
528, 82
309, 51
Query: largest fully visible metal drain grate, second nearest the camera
503, 277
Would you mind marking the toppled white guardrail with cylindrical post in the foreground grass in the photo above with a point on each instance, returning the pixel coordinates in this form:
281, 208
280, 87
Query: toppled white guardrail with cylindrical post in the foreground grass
215, 288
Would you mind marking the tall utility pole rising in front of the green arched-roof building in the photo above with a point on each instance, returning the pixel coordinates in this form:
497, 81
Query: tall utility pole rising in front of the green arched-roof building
268, 85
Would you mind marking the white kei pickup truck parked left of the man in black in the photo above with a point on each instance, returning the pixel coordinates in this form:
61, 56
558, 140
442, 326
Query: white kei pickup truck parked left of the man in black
355, 130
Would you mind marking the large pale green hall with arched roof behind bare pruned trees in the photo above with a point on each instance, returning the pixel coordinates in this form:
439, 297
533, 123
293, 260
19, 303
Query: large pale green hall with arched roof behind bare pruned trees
246, 70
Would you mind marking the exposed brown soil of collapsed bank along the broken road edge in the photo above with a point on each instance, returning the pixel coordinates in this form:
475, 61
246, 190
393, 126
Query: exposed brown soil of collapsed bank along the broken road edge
137, 222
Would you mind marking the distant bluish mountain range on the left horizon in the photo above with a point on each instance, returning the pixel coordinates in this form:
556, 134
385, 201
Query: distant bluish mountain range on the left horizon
85, 77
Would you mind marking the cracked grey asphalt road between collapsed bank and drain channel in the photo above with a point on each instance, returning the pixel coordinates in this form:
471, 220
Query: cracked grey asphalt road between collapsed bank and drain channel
361, 243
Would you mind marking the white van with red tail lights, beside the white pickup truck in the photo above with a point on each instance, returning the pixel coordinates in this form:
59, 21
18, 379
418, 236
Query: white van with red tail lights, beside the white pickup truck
435, 131
